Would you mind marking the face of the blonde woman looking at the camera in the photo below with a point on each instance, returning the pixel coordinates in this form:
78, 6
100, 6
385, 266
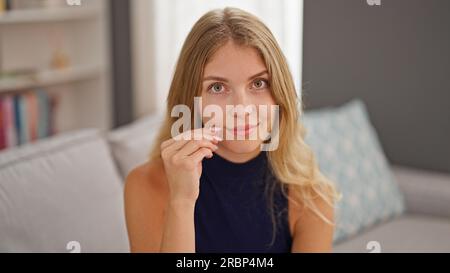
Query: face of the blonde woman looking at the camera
237, 76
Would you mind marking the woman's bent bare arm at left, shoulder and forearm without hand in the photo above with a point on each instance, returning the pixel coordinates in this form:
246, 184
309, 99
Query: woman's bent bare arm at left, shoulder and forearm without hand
154, 223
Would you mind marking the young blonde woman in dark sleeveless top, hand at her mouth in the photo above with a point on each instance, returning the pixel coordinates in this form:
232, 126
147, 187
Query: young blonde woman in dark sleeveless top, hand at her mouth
217, 195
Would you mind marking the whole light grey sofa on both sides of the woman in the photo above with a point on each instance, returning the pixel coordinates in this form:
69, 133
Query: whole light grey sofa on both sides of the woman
68, 190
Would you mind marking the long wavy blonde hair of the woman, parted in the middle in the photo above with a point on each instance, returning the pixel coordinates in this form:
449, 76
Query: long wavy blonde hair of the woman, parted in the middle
293, 162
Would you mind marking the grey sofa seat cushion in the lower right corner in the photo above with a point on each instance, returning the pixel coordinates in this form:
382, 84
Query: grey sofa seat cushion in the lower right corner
408, 233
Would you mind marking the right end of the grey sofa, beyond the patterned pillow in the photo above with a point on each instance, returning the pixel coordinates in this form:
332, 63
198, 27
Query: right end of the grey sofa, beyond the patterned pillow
425, 227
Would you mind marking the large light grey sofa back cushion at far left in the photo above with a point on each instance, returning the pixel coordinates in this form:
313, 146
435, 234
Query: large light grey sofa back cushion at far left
59, 190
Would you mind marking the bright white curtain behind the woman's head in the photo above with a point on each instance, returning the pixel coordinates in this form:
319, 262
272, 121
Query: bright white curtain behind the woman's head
173, 19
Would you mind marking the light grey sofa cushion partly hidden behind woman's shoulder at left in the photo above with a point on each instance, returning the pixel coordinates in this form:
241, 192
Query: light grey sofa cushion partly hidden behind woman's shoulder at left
131, 143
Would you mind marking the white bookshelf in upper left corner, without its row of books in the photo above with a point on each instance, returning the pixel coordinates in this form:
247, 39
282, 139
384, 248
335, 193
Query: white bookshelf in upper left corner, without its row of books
83, 89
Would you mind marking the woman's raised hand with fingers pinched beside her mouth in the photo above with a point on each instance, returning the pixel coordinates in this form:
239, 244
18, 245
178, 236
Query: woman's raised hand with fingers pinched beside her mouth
182, 157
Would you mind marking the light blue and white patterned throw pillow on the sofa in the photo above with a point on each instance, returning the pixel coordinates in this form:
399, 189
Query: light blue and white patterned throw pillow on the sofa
349, 153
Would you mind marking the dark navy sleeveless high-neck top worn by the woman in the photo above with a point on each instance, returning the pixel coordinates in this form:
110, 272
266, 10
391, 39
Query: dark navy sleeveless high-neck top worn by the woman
232, 212
